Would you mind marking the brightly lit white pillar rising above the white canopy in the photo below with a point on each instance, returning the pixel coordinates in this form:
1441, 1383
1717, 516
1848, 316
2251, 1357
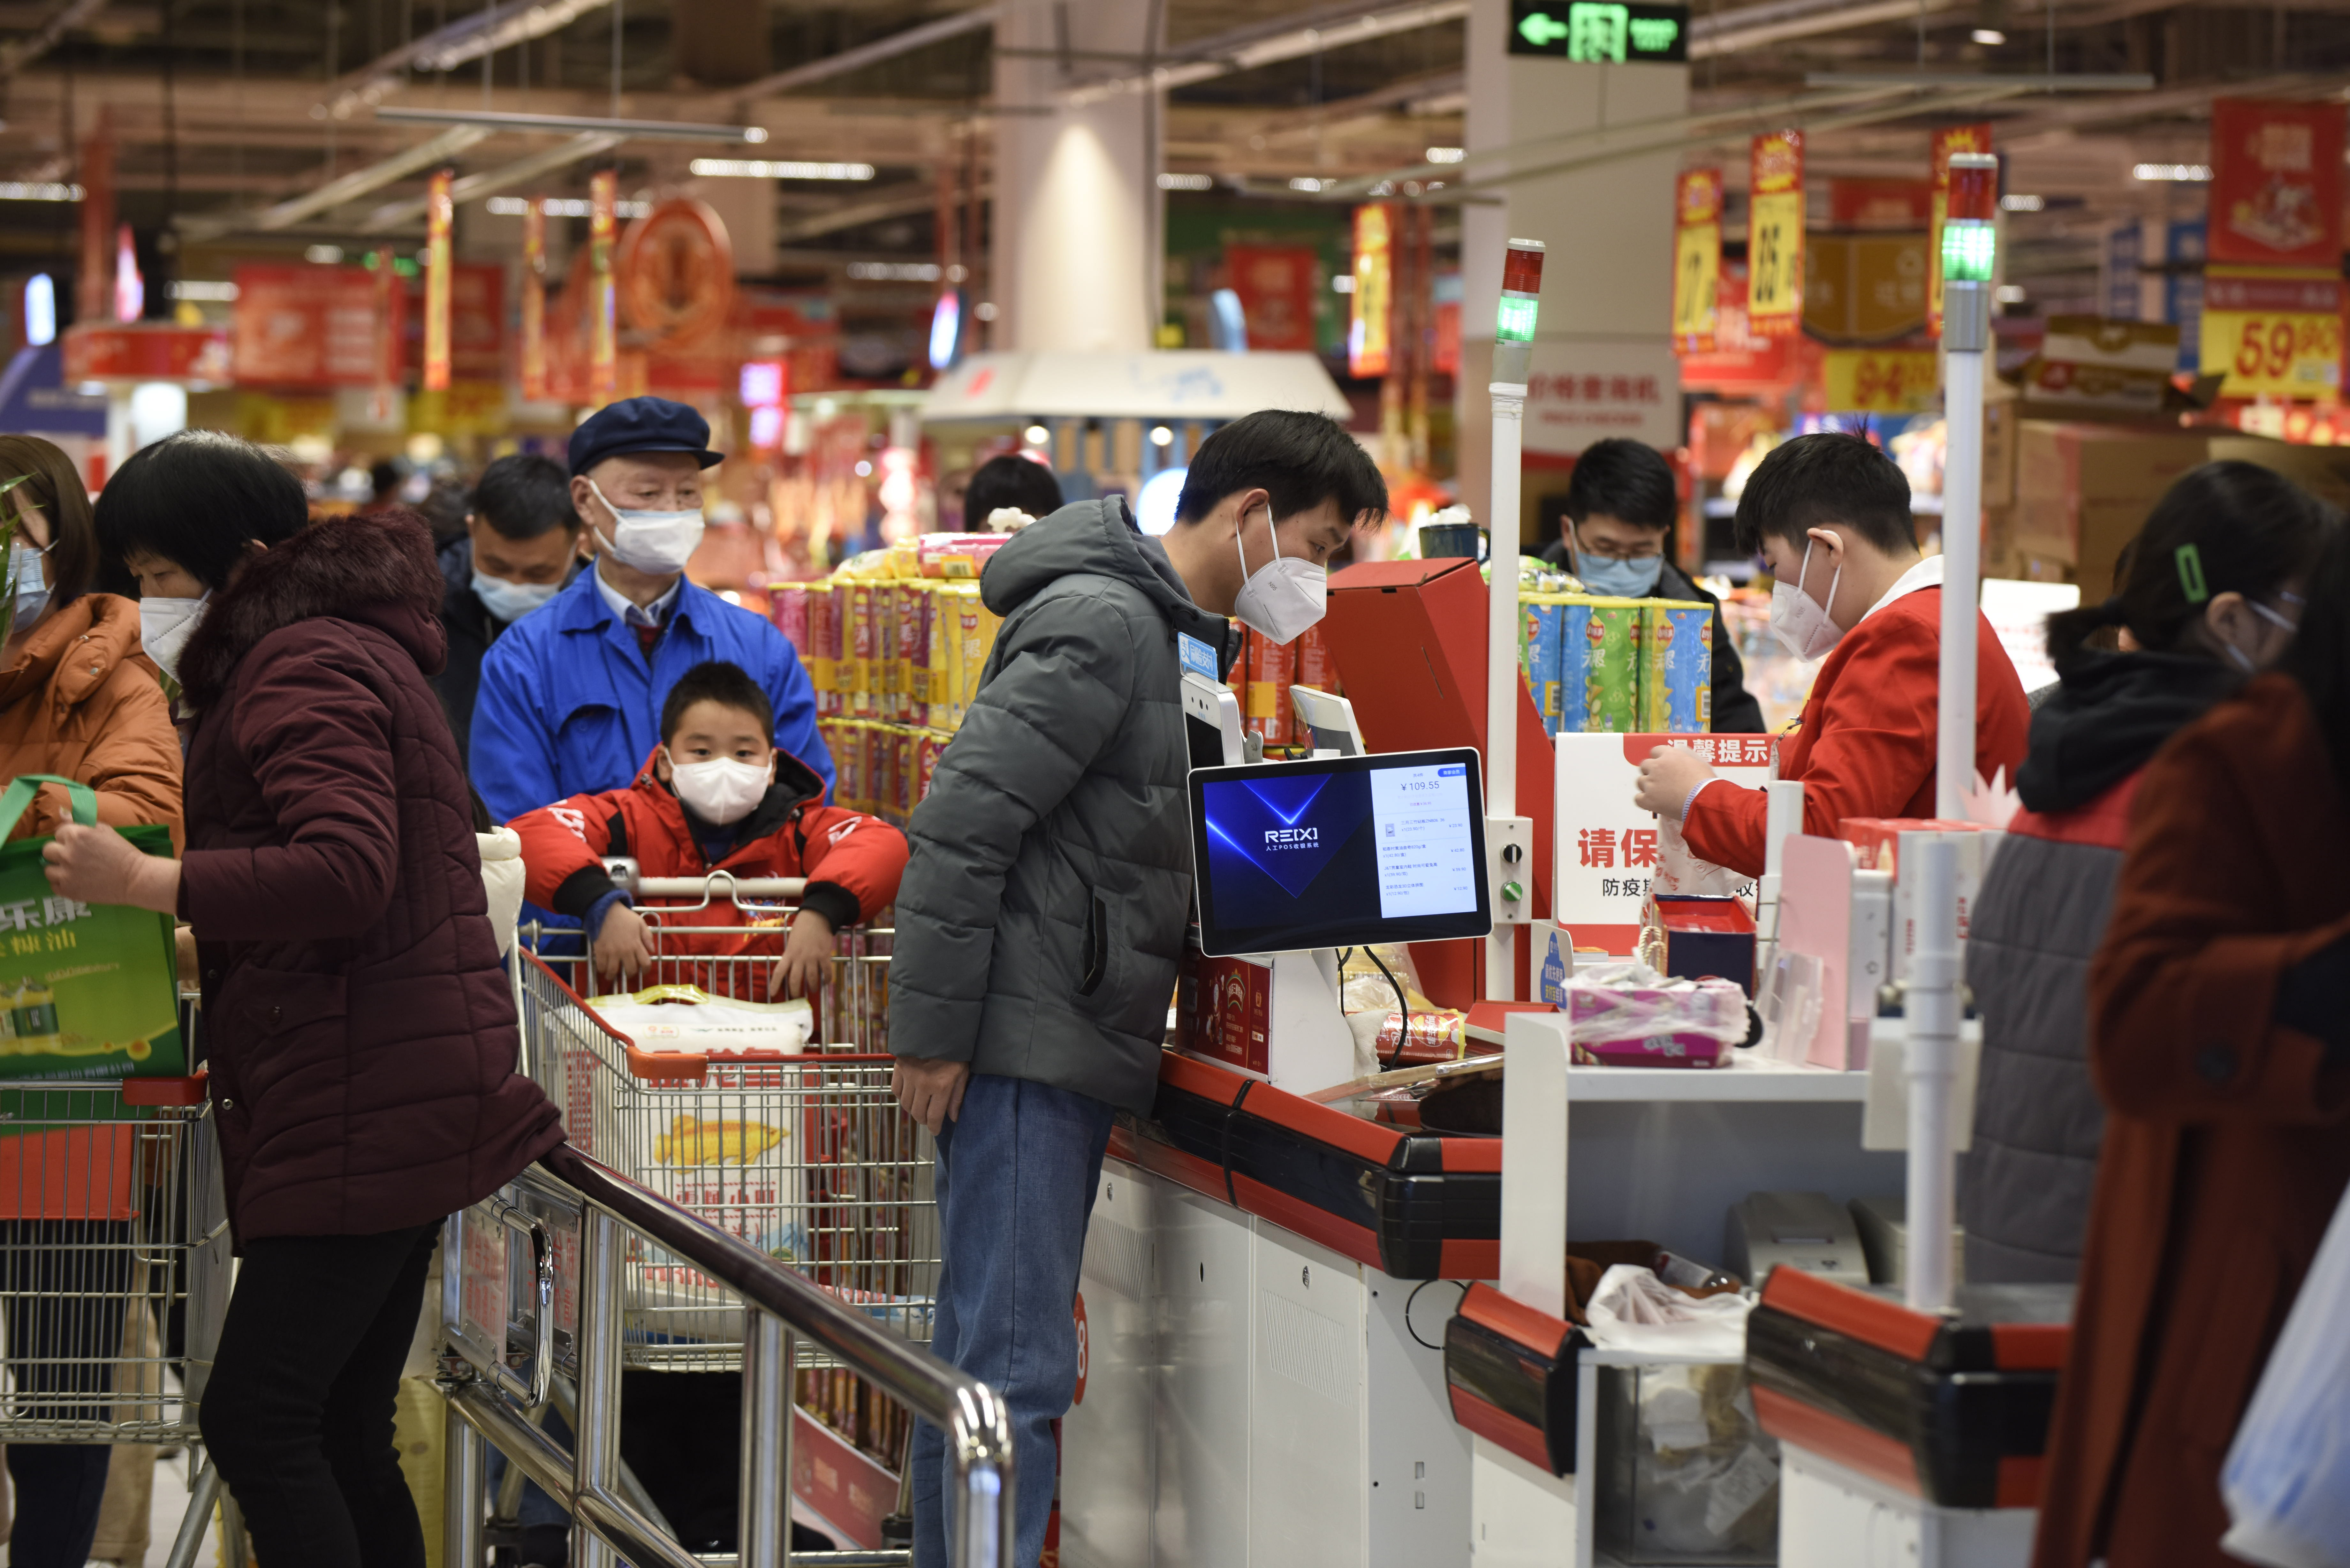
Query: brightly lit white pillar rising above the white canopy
1075, 257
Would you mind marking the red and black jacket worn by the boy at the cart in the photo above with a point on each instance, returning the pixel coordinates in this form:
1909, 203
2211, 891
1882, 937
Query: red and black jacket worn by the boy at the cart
850, 859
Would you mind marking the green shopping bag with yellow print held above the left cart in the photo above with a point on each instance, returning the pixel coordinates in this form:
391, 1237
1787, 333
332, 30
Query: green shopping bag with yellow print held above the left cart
86, 991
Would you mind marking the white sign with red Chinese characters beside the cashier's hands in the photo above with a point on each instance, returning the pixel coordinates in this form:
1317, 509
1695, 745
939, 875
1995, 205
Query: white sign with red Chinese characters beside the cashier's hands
1609, 847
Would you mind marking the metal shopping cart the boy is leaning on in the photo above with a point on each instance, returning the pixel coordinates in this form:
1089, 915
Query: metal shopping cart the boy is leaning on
795, 1148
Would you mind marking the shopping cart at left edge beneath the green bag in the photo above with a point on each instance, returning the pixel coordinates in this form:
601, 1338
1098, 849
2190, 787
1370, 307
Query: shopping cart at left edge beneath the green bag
114, 1268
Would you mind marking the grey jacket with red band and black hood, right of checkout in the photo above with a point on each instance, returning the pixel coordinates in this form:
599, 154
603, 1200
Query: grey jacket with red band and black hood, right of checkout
2039, 1125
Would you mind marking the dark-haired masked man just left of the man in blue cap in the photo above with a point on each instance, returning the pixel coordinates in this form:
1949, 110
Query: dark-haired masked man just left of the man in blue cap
518, 551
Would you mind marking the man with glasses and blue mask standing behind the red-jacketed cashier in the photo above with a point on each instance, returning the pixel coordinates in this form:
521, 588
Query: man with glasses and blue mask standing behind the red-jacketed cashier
1620, 516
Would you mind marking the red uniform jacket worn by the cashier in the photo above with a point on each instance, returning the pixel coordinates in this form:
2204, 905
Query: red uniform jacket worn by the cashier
1865, 744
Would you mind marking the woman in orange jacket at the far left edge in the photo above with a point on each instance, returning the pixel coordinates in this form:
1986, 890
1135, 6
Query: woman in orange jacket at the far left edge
76, 702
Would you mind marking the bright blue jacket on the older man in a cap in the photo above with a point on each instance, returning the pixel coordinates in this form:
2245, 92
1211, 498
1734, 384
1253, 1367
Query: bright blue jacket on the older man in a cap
570, 706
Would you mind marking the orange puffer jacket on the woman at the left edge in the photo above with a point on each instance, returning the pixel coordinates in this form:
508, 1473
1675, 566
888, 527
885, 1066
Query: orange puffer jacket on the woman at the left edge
83, 702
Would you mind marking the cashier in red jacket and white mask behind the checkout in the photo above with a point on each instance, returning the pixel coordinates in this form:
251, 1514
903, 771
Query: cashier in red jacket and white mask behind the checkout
1832, 521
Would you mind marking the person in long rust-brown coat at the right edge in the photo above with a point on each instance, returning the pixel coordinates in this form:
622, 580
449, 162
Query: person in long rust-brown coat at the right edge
2222, 1045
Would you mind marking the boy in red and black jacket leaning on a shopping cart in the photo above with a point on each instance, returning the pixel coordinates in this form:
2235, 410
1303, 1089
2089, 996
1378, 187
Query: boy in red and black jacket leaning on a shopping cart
716, 796
